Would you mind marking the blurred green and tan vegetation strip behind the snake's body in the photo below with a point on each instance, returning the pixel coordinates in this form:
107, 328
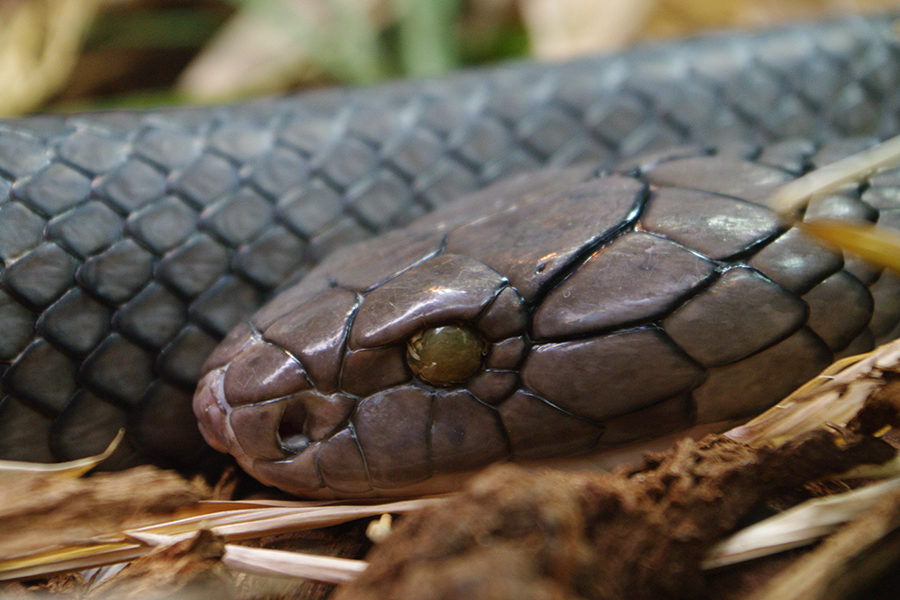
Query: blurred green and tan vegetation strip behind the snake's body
88, 54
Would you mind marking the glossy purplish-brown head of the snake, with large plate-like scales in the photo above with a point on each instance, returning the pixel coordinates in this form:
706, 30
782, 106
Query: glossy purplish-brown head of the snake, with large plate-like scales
504, 325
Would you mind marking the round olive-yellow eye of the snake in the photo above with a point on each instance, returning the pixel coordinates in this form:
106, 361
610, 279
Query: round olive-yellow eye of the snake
445, 355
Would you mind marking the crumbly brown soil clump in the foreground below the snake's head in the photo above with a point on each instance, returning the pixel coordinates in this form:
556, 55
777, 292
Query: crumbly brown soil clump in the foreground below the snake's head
639, 532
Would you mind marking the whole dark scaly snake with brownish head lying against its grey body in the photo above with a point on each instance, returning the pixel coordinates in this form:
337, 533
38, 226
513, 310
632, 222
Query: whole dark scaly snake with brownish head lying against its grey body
379, 288
